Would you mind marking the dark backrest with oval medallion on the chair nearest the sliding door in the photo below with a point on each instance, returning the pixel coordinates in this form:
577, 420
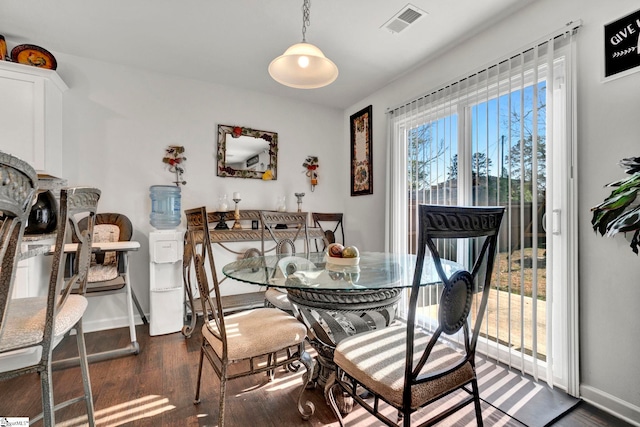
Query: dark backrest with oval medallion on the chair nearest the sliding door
480, 226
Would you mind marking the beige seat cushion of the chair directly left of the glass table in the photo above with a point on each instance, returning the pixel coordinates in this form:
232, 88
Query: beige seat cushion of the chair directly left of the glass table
256, 332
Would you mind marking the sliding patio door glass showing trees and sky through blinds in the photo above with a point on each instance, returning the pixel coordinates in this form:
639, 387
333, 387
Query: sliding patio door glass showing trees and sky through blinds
506, 166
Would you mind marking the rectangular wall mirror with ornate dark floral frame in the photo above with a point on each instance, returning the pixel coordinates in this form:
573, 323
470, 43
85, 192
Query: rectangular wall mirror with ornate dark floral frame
247, 153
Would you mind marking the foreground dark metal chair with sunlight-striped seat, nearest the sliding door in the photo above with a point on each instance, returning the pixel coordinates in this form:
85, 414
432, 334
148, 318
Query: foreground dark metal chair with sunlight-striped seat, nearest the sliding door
408, 368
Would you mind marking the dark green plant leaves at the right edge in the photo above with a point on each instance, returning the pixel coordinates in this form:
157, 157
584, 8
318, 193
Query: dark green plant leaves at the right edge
620, 212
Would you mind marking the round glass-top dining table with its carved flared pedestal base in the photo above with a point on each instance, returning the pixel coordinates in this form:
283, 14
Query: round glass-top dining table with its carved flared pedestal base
336, 301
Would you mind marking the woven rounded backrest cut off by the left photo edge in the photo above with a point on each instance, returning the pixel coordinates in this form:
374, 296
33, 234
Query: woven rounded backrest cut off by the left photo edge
18, 188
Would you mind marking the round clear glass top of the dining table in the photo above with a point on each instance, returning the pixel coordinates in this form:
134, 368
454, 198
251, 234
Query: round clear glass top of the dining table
316, 271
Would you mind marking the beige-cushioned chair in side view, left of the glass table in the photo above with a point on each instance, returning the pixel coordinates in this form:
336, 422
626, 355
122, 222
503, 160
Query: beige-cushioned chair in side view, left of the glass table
253, 341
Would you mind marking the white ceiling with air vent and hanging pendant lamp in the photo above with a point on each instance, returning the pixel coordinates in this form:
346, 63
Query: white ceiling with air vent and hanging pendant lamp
232, 42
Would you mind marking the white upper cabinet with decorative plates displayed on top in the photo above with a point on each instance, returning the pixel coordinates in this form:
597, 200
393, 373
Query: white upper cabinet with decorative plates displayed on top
31, 115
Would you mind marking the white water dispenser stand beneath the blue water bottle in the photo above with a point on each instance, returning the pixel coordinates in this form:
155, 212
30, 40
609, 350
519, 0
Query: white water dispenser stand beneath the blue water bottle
165, 276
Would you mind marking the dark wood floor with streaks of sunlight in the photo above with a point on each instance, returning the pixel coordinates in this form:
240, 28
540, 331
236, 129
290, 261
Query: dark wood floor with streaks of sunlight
156, 388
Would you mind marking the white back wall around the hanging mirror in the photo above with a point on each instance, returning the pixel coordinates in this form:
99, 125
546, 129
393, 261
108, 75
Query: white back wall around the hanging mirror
118, 122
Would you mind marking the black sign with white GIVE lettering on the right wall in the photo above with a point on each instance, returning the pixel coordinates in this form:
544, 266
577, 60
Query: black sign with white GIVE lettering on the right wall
622, 46
